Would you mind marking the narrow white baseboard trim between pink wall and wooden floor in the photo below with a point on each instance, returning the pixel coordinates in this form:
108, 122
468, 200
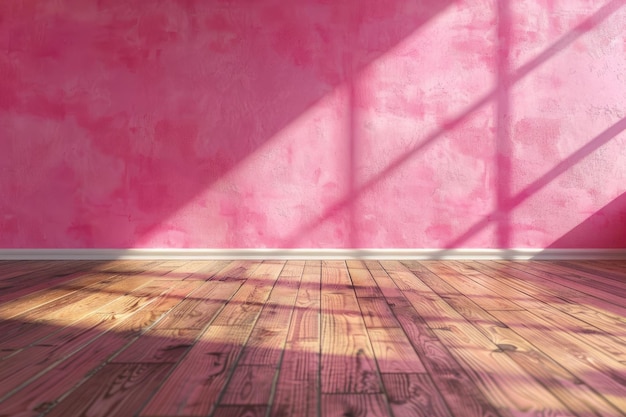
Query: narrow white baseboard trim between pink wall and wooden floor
401, 254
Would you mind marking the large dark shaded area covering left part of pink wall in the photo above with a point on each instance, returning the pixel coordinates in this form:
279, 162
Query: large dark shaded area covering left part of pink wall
144, 105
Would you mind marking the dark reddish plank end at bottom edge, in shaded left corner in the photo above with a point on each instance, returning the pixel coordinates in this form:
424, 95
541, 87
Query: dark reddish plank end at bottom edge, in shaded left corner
117, 389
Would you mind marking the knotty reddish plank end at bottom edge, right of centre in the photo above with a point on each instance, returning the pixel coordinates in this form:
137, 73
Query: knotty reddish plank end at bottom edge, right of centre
414, 395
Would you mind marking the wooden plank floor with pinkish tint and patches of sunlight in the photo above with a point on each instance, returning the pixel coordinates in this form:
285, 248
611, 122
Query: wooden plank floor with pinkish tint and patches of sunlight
314, 338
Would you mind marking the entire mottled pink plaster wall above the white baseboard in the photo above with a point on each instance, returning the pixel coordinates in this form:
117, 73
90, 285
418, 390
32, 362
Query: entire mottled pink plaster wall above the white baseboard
354, 123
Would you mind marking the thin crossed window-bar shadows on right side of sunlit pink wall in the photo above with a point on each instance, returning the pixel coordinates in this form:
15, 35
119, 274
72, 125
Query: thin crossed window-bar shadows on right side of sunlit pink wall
499, 95
